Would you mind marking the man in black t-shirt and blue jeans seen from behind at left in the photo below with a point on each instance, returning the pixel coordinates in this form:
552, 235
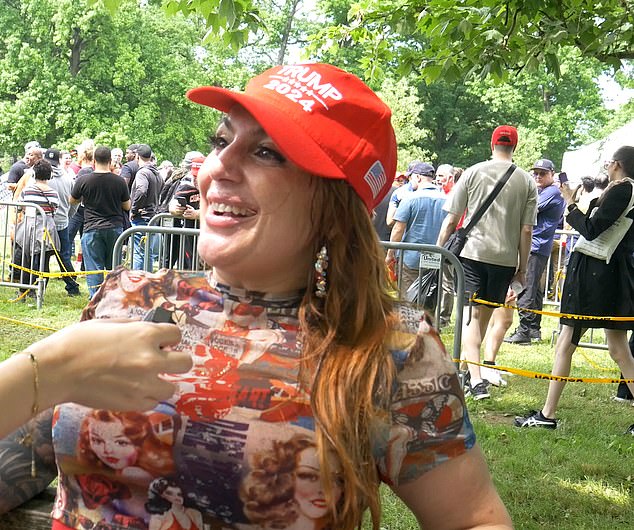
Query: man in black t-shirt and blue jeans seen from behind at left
106, 199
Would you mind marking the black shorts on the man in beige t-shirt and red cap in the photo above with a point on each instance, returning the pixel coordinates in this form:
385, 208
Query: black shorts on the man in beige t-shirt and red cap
488, 282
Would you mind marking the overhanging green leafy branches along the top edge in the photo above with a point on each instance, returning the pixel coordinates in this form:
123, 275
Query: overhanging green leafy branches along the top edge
461, 38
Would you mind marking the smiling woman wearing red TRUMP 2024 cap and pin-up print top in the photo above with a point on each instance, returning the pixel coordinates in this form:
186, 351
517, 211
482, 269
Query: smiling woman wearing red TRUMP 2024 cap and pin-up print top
293, 333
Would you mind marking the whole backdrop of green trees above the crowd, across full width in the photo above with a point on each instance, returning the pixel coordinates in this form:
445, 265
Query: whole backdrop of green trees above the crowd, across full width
117, 70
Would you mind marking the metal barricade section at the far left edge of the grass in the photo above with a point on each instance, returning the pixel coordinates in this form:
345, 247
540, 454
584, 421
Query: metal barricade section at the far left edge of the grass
20, 265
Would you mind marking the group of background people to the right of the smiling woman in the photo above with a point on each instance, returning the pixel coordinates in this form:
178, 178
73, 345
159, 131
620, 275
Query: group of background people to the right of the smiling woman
507, 252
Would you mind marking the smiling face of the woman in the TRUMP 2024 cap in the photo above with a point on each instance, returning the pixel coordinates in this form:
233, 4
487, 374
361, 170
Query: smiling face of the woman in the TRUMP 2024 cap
255, 210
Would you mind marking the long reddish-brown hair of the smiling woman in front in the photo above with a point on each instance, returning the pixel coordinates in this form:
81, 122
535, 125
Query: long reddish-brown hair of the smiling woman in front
350, 370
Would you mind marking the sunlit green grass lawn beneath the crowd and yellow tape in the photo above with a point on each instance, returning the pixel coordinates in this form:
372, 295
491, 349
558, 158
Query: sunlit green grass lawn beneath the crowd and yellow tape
580, 476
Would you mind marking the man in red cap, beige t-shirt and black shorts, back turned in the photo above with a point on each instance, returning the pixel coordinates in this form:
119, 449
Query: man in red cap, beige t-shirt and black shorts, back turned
490, 256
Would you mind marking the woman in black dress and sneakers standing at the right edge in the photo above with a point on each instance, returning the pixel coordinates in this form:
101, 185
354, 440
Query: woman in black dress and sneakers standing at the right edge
596, 287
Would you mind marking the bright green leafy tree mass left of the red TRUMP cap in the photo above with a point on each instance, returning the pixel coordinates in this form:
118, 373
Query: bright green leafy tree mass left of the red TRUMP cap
70, 71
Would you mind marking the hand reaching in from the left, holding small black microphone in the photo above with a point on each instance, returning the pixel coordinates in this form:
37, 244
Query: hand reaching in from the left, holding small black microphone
109, 364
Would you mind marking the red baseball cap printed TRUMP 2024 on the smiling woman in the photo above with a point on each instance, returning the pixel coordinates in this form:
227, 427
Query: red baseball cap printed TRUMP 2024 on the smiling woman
325, 120
